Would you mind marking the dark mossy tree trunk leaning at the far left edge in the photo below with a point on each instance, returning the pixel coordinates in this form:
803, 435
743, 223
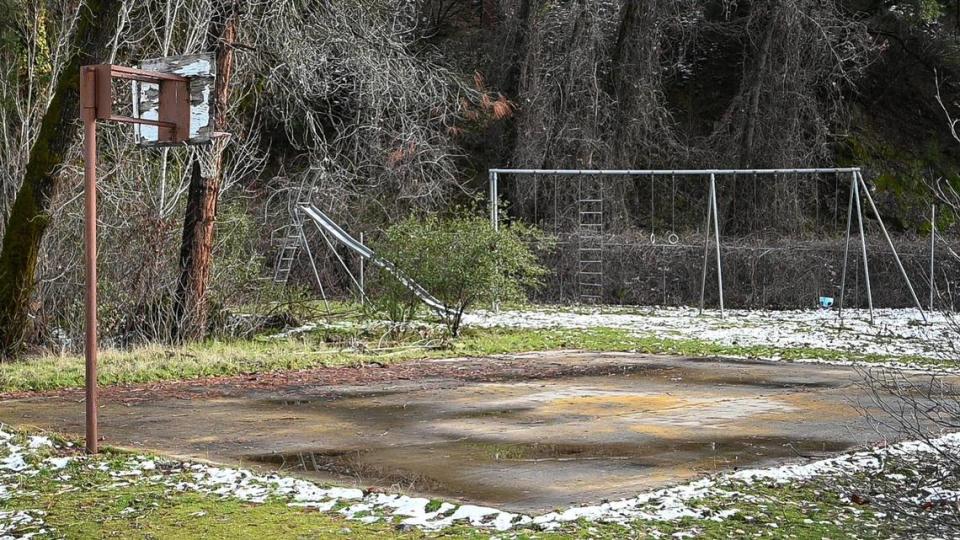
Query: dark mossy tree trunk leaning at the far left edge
30, 214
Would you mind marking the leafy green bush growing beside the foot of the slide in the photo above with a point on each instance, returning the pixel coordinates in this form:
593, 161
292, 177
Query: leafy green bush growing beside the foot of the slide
460, 260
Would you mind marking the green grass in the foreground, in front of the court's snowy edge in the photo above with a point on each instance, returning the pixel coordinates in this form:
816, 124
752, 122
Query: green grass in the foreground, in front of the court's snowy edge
92, 505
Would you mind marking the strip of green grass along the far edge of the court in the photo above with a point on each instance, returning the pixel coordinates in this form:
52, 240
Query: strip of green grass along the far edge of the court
339, 347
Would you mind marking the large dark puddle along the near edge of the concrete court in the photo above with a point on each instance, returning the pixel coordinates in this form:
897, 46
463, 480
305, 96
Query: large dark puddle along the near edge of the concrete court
448, 469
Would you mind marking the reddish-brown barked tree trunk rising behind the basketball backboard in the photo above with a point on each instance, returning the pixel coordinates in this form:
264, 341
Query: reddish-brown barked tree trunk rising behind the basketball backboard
196, 247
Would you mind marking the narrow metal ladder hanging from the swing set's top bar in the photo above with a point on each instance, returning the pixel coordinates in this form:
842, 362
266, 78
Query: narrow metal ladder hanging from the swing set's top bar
590, 240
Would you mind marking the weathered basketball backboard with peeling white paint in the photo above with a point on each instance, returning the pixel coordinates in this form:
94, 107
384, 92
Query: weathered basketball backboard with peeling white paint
200, 71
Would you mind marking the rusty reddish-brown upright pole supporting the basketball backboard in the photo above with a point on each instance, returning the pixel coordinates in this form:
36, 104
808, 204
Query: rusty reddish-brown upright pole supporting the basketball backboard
89, 113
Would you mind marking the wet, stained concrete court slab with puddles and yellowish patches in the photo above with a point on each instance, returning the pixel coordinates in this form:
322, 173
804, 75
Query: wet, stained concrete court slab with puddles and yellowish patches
529, 432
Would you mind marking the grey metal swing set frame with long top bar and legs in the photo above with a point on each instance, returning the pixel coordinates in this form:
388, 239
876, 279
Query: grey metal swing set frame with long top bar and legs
712, 220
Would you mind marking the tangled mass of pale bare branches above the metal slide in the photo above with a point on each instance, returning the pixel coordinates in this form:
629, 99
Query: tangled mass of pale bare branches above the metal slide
371, 124
